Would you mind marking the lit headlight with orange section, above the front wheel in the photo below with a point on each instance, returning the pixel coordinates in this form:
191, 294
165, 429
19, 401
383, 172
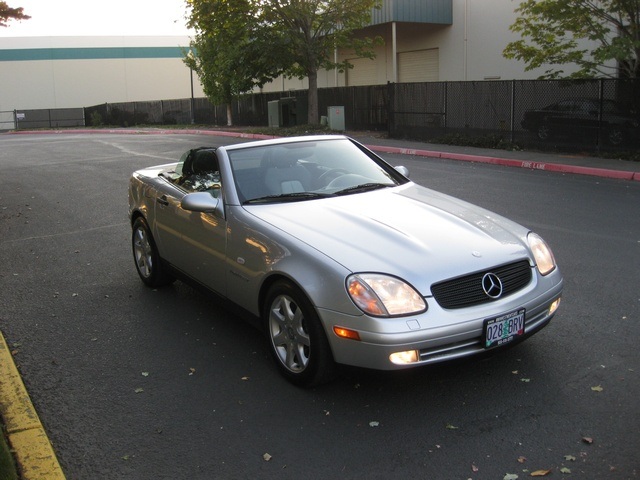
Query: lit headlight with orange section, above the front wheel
384, 296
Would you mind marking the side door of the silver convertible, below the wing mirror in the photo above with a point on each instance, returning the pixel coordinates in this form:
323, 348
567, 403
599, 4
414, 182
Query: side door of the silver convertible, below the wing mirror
193, 242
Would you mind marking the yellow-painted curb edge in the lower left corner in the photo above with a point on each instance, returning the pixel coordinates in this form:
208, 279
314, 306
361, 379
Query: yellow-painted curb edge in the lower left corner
32, 449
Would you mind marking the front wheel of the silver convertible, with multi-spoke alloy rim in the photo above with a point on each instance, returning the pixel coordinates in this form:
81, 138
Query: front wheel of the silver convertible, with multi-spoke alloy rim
296, 338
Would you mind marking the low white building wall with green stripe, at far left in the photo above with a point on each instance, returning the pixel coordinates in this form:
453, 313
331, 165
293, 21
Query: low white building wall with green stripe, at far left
84, 71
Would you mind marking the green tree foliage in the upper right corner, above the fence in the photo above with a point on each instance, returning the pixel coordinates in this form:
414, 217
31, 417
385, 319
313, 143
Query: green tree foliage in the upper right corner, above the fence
555, 32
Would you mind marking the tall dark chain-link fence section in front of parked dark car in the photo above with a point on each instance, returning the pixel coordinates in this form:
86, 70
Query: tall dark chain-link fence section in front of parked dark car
587, 114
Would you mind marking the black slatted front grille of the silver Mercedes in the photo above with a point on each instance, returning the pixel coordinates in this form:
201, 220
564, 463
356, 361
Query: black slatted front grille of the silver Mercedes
467, 291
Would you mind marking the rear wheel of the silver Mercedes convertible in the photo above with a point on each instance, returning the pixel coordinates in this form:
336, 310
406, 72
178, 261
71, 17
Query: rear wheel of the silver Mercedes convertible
146, 256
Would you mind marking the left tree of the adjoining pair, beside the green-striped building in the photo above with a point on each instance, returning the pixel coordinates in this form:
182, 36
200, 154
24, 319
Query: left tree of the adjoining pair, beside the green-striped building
231, 52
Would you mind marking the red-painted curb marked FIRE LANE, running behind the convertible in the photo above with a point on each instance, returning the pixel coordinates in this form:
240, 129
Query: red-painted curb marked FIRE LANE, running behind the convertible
550, 167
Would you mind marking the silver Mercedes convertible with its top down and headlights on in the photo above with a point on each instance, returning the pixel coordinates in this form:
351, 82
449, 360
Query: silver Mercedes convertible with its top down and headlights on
340, 256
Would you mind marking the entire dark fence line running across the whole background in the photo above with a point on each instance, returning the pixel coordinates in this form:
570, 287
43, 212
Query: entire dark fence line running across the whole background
558, 115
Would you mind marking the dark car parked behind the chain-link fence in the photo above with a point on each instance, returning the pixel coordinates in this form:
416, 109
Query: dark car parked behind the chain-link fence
580, 117
